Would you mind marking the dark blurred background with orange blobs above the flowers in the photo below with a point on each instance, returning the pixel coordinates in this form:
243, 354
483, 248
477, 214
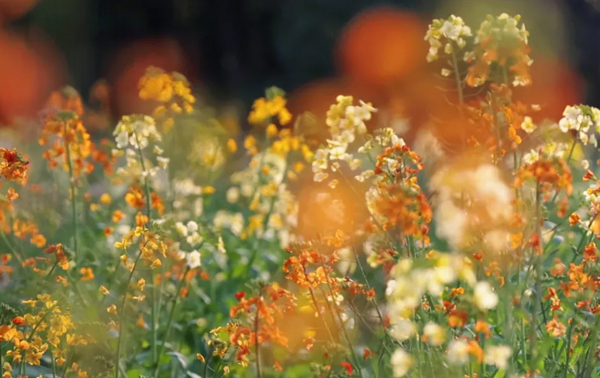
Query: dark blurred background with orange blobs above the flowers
314, 49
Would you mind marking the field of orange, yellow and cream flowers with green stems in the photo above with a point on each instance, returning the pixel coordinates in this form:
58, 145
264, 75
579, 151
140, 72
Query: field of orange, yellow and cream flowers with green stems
169, 248
